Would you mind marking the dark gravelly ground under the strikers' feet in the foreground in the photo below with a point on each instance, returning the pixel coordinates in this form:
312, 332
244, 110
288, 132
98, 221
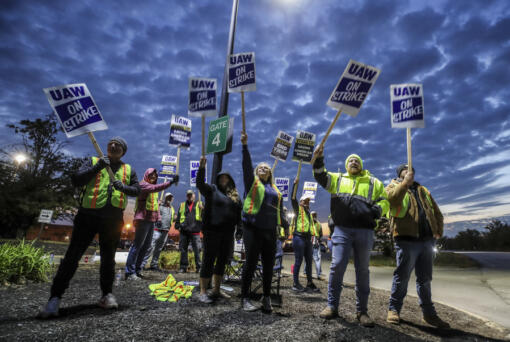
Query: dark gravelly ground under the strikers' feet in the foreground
141, 317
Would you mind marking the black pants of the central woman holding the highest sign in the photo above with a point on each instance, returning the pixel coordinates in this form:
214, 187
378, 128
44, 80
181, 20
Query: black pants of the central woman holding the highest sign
258, 242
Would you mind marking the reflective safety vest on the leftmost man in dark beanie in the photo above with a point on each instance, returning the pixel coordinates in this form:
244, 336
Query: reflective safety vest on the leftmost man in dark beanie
95, 194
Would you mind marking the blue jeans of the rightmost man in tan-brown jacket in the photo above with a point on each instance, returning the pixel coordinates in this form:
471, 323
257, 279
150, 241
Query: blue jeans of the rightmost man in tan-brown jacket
420, 256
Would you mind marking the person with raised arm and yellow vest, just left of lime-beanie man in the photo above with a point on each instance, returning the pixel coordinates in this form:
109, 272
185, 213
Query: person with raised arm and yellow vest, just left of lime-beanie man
302, 239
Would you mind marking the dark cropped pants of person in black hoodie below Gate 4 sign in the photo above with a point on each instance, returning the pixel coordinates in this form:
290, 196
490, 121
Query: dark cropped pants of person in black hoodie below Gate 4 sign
217, 246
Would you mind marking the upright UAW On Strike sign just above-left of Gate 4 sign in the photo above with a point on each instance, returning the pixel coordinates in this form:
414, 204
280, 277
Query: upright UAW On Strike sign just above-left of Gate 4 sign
202, 97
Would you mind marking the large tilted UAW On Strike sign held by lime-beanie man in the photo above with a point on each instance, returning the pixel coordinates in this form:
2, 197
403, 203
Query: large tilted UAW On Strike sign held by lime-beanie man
353, 87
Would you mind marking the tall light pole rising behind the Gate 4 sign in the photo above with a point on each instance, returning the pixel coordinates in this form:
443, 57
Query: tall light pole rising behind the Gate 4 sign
218, 157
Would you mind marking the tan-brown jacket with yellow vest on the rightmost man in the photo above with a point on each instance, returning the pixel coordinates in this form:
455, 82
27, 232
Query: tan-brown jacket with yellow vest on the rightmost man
409, 224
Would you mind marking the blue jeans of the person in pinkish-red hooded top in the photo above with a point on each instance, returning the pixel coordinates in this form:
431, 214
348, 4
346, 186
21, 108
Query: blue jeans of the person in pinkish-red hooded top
143, 239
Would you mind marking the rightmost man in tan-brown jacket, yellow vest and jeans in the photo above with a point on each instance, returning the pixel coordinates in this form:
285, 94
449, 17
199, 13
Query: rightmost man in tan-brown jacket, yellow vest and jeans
416, 223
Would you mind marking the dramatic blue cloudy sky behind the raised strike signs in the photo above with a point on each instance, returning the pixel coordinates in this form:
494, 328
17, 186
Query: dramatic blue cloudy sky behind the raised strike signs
136, 58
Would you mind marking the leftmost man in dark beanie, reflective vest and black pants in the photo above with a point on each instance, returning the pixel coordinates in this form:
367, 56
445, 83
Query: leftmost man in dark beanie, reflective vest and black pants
102, 204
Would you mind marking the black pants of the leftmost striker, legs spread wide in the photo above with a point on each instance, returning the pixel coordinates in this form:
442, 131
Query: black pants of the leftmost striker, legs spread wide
85, 228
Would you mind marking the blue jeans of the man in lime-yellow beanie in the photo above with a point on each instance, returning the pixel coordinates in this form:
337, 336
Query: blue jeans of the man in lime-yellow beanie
360, 241
